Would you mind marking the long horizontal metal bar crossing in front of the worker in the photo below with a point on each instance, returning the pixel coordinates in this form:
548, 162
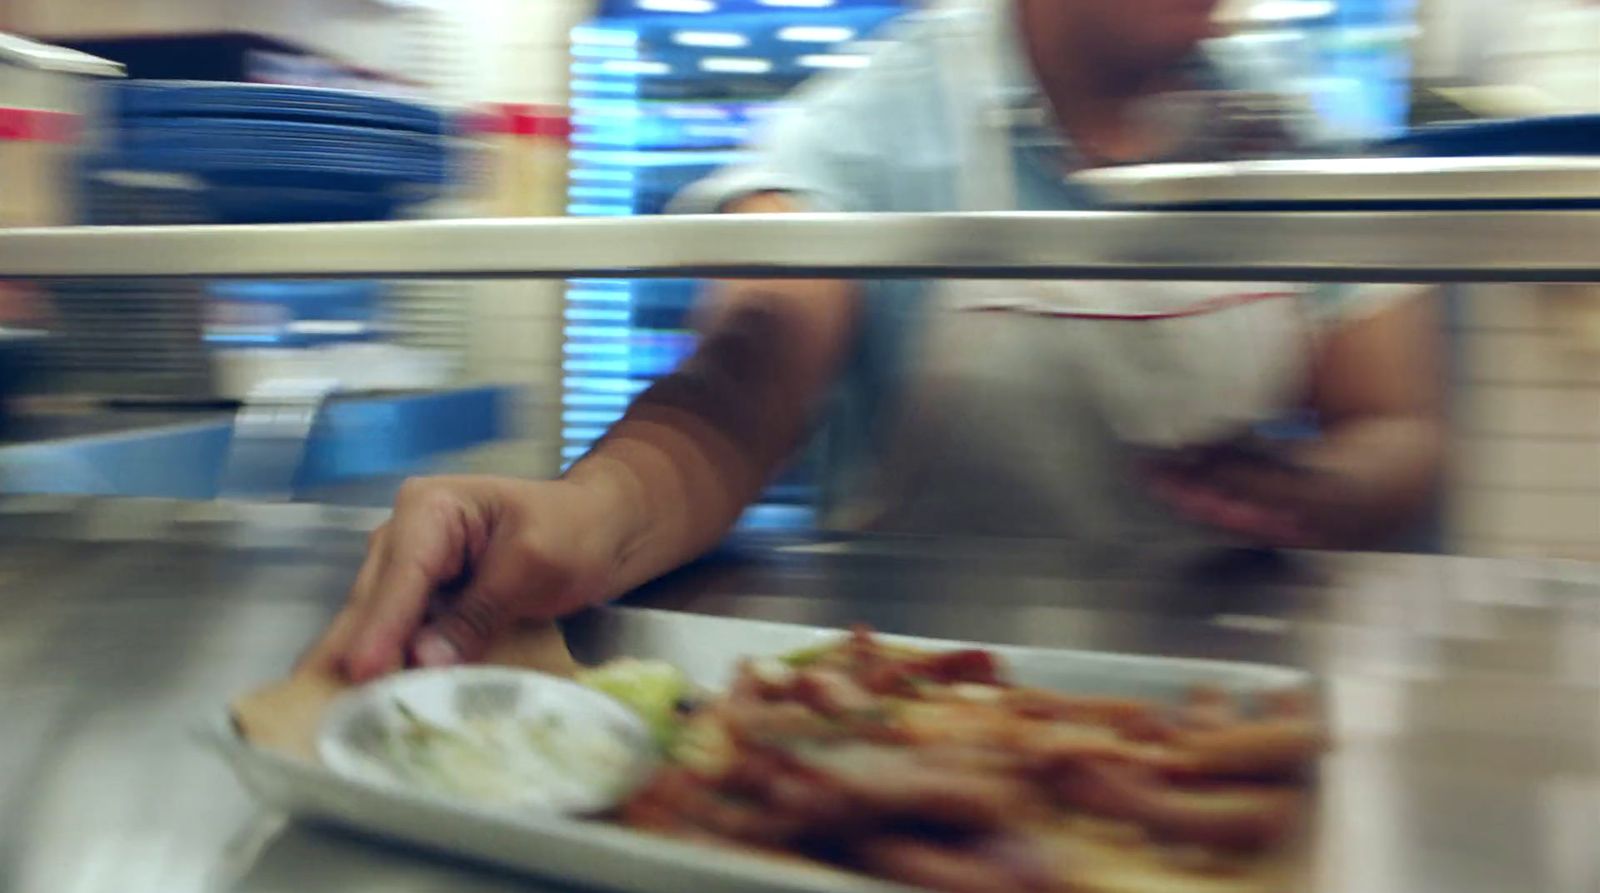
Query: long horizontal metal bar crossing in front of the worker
1303, 247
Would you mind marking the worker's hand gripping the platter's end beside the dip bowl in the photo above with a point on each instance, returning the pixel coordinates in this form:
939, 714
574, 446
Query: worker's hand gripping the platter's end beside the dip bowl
460, 561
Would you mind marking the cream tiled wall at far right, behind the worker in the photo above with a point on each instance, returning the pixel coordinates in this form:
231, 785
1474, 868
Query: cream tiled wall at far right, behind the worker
1527, 380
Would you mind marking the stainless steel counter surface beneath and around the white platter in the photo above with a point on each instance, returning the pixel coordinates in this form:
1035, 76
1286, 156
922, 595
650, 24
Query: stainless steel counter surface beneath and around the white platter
1466, 694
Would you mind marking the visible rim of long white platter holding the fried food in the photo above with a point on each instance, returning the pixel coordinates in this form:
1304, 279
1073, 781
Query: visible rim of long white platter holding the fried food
706, 649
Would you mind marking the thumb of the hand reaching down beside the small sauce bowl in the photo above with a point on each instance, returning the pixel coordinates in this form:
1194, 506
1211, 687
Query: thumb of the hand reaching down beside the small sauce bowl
508, 582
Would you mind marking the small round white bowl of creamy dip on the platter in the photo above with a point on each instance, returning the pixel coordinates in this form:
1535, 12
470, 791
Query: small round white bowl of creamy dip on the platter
508, 739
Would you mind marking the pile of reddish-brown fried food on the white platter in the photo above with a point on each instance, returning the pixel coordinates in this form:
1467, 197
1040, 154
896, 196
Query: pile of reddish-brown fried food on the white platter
937, 771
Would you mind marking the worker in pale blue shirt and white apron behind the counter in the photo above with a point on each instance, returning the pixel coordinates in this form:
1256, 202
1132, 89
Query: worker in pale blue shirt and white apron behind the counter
1095, 410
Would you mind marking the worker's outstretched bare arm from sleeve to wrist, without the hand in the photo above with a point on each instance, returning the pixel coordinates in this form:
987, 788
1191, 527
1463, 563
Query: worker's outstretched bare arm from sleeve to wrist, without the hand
700, 444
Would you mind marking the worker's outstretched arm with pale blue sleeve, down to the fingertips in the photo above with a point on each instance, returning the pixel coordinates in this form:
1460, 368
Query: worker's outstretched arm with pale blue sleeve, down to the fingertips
465, 559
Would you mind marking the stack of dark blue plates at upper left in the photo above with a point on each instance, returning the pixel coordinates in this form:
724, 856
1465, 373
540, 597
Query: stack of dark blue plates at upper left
278, 154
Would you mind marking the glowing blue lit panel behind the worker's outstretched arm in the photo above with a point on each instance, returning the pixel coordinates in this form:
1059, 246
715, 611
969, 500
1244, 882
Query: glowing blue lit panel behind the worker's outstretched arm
666, 92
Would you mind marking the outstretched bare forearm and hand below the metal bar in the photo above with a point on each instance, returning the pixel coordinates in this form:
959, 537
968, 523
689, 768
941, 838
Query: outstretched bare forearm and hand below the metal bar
660, 487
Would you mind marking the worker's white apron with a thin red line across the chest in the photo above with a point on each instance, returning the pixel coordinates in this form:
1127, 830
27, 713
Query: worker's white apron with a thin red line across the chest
1030, 402
